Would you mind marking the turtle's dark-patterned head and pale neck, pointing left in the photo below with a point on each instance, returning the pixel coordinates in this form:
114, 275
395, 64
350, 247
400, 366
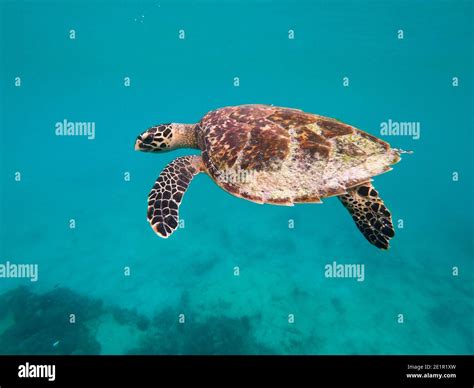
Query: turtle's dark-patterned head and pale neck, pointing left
166, 137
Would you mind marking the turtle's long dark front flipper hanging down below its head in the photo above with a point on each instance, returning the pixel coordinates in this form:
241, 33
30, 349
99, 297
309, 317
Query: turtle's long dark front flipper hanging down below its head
167, 193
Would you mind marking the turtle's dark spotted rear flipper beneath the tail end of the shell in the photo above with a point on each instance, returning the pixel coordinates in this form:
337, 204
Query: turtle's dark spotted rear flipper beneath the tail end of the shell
370, 214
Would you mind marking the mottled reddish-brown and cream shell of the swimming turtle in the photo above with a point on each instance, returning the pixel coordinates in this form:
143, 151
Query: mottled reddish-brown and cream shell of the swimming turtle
283, 156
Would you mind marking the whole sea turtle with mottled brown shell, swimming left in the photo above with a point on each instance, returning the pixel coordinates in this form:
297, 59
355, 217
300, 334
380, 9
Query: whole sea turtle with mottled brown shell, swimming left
274, 155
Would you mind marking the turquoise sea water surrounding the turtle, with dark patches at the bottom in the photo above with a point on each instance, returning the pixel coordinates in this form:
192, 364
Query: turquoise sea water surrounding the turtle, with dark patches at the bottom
82, 270
